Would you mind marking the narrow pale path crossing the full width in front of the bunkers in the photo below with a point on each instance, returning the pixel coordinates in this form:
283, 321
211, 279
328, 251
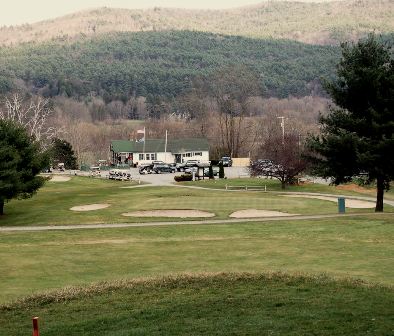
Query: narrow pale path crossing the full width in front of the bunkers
187, 222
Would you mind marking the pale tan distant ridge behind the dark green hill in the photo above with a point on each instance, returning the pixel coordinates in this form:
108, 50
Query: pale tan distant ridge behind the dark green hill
316, 23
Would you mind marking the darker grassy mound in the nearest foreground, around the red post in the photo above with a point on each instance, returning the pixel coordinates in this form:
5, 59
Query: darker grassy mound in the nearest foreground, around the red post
220, 304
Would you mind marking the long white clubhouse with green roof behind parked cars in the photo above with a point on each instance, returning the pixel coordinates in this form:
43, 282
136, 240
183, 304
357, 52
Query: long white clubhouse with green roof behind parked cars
177, 151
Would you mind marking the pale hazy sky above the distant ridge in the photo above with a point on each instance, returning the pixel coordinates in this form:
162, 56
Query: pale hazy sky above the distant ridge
14, 12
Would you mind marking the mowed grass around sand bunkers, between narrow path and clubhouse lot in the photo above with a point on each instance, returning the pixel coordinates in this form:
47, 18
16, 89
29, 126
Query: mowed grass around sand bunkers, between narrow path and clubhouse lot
51, 205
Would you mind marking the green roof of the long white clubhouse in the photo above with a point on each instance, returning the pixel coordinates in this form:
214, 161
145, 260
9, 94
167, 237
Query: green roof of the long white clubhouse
158, 145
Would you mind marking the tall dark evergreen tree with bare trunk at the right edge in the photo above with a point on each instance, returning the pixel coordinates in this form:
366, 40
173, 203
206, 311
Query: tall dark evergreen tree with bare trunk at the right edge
358, 135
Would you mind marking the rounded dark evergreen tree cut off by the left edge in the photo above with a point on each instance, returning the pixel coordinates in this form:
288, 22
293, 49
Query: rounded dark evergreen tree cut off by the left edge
20, 162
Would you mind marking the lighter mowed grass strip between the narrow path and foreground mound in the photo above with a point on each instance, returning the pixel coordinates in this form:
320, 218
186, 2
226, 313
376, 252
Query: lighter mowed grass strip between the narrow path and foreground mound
359, 247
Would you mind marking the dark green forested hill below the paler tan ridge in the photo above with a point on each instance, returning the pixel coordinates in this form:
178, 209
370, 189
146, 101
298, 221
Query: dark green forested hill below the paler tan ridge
120, 65
